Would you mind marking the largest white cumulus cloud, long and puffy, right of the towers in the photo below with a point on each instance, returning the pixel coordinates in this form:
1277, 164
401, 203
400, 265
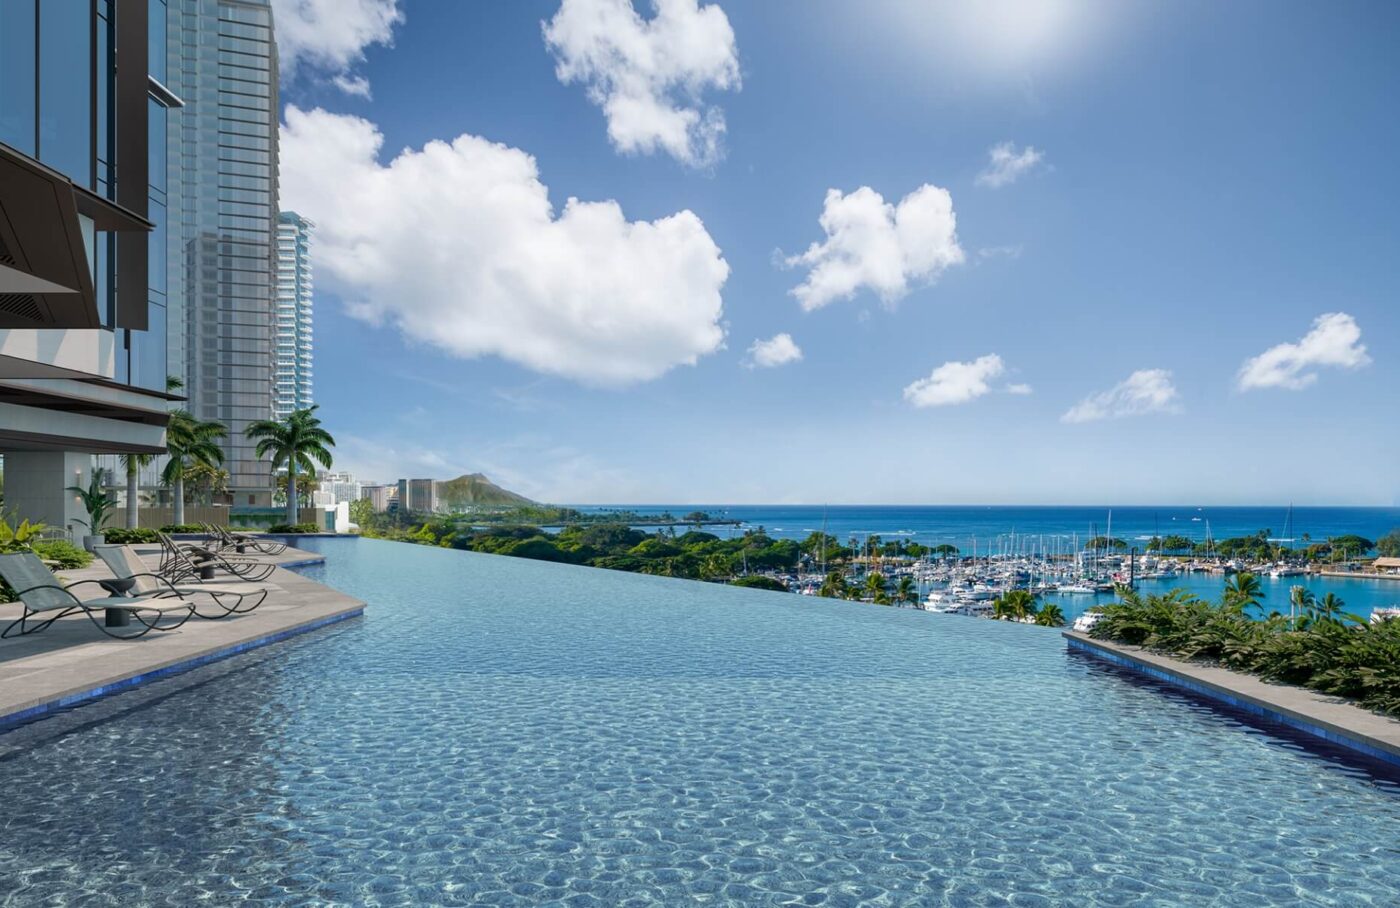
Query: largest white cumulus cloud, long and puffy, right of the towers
458, 246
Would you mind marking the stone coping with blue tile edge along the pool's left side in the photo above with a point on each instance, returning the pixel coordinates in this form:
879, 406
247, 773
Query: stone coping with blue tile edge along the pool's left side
314, 608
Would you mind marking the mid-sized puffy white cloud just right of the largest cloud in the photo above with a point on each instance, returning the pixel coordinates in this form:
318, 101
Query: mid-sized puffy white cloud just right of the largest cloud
877, 246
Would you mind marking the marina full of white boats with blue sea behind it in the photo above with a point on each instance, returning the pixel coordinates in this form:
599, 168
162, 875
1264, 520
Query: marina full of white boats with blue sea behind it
1081, 570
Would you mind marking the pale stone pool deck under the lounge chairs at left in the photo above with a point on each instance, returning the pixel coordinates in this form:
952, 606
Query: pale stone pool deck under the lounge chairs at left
73, 661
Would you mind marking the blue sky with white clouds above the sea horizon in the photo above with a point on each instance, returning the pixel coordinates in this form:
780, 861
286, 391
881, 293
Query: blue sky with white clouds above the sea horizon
890, 253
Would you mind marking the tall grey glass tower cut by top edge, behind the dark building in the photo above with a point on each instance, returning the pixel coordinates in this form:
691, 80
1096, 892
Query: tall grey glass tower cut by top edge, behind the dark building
226, 71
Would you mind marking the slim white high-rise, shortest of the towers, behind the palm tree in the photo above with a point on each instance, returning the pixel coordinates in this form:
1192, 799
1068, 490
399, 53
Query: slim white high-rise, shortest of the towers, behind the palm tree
292, 378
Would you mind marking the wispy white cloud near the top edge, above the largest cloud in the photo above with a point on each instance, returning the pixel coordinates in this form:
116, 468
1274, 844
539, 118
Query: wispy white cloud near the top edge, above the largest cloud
650, 76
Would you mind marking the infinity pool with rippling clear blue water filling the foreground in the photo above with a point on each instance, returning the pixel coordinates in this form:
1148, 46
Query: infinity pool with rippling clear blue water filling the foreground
500, 731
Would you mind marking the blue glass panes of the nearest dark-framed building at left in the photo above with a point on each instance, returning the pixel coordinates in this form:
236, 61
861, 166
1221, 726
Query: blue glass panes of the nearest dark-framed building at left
58, 104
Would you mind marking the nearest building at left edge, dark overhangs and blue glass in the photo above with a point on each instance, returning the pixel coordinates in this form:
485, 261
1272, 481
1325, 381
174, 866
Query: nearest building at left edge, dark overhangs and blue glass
85, 195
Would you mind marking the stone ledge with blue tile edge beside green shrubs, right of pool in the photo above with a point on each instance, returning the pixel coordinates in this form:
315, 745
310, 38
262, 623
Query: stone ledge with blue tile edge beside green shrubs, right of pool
1319, 716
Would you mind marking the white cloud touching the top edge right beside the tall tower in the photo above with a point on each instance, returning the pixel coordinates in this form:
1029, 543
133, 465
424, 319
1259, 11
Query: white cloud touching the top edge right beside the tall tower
331, 36
